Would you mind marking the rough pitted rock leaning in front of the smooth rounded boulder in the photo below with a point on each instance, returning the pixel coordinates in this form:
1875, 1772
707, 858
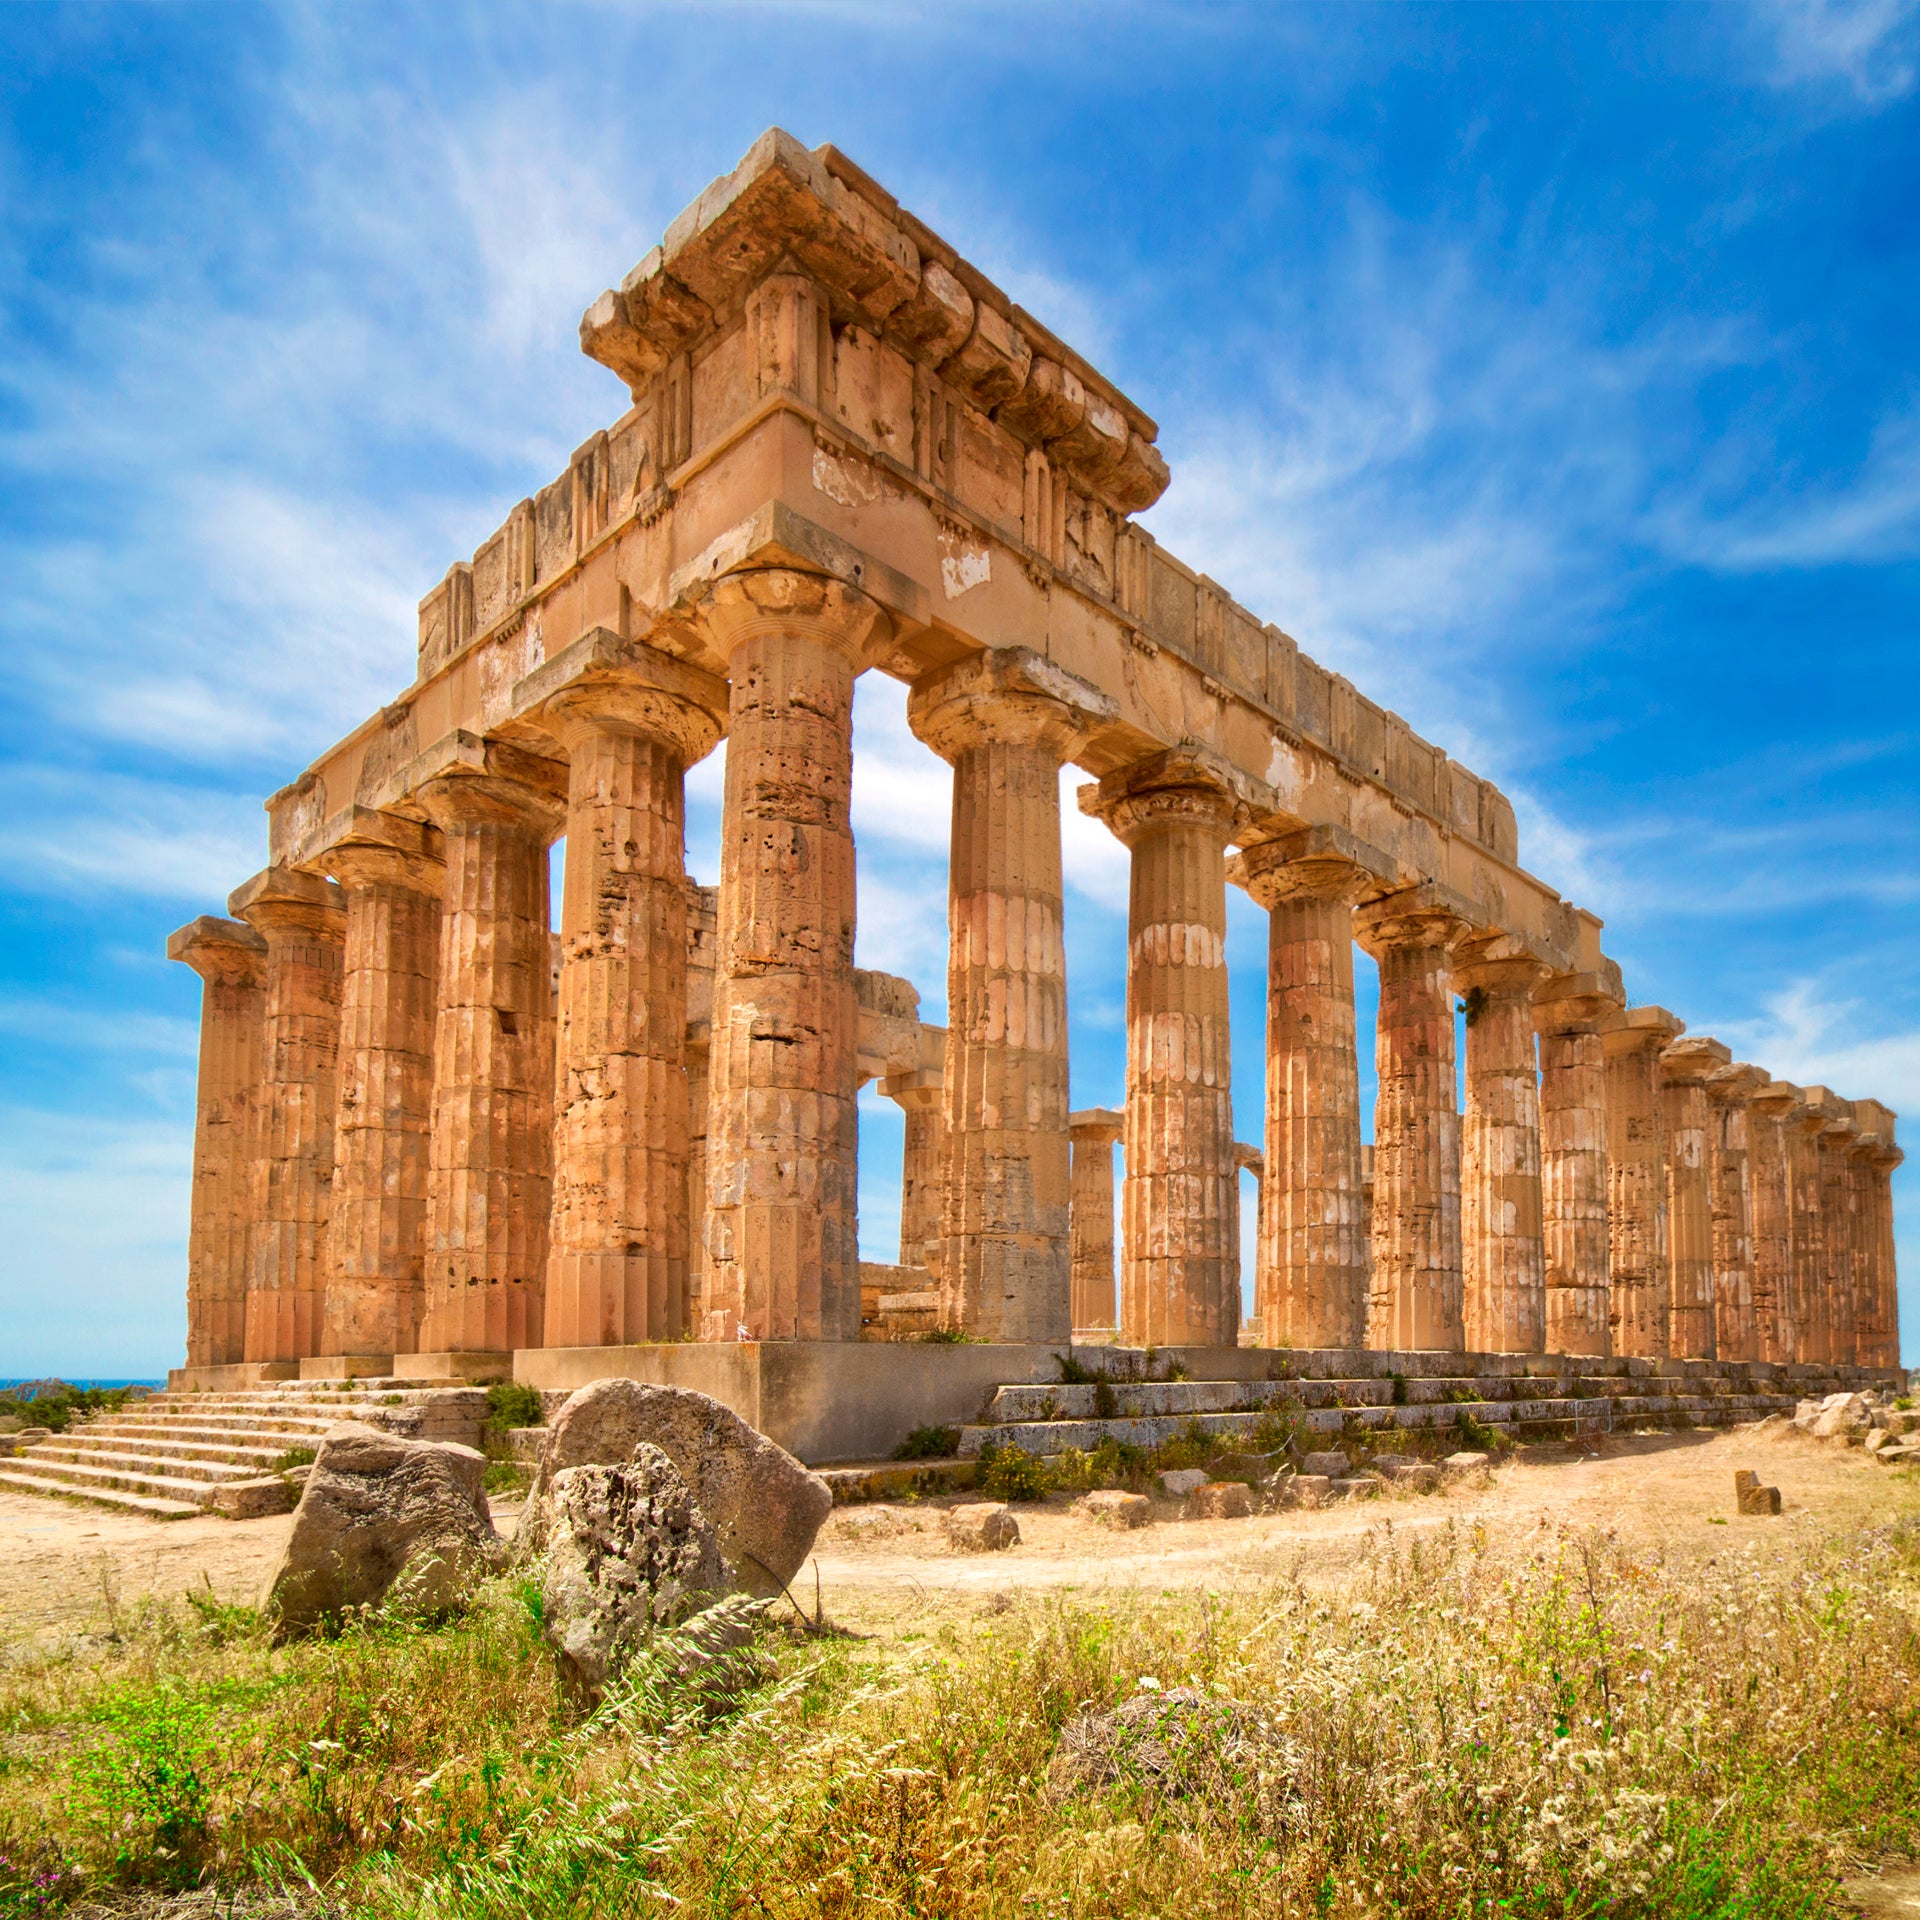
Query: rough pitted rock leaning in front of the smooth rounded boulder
627, 1554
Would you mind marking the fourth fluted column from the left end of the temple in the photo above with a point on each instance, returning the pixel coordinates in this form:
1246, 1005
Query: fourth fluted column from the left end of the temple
491, 1182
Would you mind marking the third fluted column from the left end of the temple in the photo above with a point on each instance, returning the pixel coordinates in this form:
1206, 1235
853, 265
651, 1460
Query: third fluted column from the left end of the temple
393, 876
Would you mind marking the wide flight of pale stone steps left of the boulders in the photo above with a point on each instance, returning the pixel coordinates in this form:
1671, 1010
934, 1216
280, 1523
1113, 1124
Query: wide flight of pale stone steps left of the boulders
166, 1456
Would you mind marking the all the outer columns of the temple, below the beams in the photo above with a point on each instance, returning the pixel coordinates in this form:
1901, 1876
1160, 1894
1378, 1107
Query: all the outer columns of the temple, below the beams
412, 1143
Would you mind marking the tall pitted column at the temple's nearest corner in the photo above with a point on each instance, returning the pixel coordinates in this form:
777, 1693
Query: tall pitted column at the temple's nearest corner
782, 1141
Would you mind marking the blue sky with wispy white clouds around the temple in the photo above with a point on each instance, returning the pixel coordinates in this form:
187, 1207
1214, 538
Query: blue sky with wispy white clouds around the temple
1552, 373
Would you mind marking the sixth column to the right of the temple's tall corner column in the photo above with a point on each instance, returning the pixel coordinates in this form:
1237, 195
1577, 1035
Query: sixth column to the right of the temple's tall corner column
1570, 1011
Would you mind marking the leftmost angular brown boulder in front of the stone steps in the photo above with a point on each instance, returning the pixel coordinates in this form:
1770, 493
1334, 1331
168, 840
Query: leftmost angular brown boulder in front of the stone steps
383, 1520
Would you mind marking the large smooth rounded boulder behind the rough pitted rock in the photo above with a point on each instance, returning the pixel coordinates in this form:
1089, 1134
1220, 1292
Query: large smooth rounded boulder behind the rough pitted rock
763, 1506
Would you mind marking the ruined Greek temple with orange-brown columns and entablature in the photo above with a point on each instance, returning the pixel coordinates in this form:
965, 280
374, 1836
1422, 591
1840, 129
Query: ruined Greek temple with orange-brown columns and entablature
439, 1140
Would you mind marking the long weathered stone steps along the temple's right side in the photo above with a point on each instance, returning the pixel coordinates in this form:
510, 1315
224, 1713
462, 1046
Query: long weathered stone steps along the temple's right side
1353, 1397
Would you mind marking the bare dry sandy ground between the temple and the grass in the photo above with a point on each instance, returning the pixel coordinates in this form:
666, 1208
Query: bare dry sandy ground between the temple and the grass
64, 1566
